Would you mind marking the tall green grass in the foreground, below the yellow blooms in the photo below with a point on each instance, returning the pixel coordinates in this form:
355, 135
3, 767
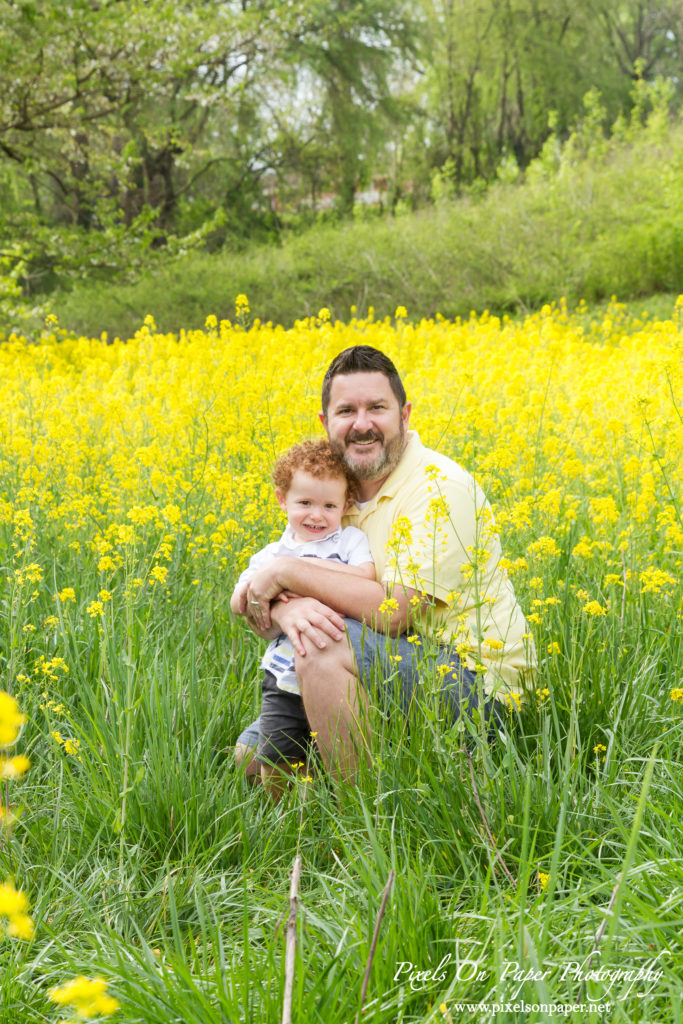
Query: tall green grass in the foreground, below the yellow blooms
150, 862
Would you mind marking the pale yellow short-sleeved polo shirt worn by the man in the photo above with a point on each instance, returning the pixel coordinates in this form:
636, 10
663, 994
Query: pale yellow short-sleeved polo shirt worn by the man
431, 528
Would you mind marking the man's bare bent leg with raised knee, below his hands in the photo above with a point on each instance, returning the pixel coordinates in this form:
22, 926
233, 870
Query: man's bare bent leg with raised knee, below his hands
336, 707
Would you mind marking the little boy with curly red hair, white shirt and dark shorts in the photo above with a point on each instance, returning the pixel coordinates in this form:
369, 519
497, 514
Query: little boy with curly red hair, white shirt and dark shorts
315, 489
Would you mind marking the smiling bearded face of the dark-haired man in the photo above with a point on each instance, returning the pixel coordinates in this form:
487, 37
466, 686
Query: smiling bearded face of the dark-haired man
366, 424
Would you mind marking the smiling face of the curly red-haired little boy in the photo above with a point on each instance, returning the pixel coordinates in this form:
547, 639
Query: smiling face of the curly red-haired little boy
314, 505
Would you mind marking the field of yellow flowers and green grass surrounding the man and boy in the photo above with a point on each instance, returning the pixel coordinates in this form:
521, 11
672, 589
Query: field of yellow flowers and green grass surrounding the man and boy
135, 485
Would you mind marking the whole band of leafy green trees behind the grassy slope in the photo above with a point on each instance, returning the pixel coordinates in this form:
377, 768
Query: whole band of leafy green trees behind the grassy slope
124, 129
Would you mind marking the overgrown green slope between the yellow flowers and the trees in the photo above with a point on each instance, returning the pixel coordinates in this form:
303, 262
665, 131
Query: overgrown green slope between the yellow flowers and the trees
593, 219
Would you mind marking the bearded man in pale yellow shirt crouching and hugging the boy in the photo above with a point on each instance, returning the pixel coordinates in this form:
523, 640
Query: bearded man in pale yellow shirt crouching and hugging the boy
441, 594
